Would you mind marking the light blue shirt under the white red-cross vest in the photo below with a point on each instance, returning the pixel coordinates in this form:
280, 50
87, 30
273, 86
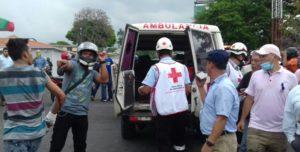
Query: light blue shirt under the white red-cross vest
152, 74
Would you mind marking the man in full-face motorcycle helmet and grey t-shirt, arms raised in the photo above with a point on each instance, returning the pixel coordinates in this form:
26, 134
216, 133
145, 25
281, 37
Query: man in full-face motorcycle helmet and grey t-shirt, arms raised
77, 84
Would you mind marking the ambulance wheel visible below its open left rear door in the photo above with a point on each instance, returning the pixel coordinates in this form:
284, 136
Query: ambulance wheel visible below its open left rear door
128, 129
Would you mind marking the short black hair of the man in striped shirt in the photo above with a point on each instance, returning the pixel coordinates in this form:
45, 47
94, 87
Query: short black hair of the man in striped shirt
16, 47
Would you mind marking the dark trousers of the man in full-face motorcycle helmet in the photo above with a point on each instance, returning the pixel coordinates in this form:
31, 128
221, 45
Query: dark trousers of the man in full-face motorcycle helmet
64, 122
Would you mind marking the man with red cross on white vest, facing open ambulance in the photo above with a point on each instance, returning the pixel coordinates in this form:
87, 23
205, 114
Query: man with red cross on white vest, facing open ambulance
168, 83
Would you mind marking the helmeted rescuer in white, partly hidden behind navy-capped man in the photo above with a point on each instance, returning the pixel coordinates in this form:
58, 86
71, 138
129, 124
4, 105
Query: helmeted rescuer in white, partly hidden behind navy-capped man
238, 53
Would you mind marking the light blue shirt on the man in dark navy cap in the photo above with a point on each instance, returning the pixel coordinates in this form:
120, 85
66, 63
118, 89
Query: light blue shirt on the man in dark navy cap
221, 99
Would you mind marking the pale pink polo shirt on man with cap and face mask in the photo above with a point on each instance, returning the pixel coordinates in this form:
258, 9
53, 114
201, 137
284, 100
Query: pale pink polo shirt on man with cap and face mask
269, 92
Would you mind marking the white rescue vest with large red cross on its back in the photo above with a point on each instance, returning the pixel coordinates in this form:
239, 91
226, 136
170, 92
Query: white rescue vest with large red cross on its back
169, 96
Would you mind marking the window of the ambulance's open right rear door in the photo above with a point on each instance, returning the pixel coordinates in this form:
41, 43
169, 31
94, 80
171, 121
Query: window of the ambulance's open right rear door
202, 43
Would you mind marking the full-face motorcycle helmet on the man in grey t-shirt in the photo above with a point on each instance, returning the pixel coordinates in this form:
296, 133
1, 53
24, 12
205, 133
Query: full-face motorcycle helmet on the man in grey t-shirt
89, 62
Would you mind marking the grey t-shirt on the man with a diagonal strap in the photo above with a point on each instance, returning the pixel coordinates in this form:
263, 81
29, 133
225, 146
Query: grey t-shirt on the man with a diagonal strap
78, 99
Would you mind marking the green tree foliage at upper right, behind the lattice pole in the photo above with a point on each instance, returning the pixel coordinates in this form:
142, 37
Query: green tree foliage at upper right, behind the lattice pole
249, 21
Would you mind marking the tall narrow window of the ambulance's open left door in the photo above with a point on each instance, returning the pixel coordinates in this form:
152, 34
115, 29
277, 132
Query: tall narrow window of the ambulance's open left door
127, 62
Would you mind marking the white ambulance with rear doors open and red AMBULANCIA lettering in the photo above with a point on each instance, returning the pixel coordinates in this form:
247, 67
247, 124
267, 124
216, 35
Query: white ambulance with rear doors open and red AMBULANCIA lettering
191, 43
